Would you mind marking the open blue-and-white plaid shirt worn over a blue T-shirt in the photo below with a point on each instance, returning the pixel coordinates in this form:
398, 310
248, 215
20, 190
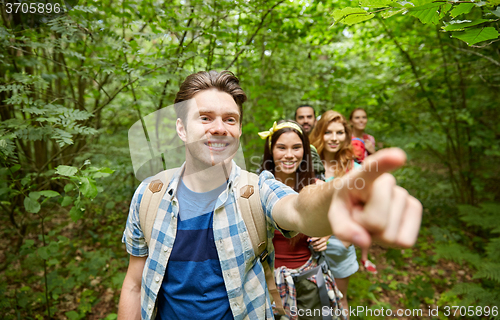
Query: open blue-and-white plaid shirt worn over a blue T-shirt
243, 274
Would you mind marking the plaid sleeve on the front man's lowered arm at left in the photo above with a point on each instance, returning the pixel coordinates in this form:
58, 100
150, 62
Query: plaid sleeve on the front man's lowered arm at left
133, 237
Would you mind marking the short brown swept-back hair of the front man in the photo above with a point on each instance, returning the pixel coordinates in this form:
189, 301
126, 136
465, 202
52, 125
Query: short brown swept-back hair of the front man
224, 81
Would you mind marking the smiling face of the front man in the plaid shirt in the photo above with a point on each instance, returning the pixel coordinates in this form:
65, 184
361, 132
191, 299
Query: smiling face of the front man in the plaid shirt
213, 128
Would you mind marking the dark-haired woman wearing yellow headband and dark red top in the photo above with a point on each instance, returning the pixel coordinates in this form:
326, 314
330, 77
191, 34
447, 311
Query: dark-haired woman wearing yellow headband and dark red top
301, 275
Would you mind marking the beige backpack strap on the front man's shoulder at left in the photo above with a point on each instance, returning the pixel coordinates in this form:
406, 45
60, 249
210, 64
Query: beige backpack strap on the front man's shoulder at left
151, 200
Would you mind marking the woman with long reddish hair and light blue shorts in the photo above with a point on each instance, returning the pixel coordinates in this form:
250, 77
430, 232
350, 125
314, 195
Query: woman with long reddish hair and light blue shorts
332, 138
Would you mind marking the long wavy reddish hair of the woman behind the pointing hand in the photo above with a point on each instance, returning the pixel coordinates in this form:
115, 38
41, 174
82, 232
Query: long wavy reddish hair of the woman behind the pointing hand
345, 155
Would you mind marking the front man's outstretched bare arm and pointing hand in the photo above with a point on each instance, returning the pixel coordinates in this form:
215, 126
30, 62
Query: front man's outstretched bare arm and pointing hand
362, 205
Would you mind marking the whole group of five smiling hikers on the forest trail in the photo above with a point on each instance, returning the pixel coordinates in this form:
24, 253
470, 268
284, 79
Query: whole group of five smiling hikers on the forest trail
209, 240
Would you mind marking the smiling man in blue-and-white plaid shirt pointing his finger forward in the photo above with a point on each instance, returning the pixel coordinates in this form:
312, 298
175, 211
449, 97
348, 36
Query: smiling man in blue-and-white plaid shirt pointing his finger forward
200, 263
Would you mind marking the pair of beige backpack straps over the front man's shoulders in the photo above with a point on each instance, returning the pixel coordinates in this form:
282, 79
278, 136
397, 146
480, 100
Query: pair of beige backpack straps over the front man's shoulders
248, 200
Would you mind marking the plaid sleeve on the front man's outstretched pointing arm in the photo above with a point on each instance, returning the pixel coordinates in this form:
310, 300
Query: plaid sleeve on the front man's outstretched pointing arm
271, 191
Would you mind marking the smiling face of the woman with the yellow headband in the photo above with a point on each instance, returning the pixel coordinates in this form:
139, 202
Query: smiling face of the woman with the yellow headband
288, 152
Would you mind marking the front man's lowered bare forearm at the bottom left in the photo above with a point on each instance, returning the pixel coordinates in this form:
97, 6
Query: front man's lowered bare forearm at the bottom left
130, 298
